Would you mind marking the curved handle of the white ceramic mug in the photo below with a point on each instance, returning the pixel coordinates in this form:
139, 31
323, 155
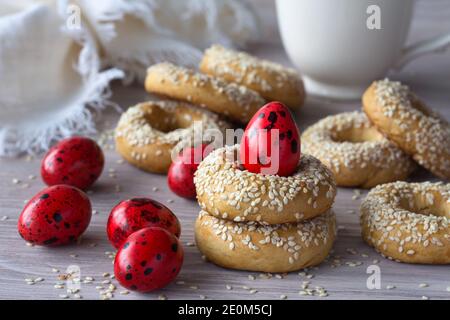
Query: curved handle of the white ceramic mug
433, 45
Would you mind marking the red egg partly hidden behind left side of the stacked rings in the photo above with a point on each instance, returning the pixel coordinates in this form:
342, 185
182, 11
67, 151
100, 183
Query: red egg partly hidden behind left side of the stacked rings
180, 177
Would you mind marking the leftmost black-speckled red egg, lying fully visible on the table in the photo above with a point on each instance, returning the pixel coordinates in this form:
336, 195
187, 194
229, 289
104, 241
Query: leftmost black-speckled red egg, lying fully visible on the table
55, 216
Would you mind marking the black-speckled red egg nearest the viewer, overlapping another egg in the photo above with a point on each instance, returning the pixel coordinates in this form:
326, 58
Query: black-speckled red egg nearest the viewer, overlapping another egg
149, 259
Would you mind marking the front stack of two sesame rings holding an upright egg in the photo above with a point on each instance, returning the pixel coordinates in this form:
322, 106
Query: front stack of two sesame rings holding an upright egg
264, 223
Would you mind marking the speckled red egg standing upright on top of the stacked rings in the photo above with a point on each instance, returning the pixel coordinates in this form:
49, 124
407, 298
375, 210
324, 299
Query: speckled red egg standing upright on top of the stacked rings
271, 142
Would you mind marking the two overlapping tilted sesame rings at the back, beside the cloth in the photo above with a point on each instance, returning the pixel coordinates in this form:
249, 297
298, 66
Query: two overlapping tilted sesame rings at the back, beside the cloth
232, 84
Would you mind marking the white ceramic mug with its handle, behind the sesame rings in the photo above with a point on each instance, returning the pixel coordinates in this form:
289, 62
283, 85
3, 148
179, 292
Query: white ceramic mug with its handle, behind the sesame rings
342, 46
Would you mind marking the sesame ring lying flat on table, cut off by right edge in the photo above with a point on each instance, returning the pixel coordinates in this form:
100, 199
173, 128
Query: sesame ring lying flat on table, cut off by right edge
409, 222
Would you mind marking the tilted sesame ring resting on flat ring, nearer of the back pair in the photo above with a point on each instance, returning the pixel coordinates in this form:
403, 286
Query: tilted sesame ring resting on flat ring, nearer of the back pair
229, 99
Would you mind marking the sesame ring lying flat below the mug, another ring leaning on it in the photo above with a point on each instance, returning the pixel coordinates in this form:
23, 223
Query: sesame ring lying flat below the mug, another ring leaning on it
355, 151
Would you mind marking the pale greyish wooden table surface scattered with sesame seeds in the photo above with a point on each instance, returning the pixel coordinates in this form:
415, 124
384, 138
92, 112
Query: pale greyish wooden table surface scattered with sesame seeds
343, 275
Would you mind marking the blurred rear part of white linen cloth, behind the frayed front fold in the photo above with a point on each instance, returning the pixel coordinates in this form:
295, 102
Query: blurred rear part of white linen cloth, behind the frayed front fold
136, 34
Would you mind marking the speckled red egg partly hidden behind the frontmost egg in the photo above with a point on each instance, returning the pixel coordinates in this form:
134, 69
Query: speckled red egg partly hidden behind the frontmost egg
132, 215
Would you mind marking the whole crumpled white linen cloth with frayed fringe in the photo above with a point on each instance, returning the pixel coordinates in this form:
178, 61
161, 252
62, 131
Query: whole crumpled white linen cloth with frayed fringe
52, 77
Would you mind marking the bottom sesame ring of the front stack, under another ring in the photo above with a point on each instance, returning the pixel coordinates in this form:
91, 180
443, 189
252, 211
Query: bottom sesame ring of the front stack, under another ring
266, 248
